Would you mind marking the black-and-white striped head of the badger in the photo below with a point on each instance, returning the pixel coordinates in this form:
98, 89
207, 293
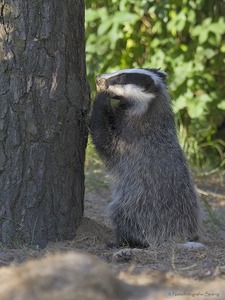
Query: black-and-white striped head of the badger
138, 87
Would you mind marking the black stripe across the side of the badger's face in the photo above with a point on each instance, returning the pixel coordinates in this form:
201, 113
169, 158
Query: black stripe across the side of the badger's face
141, 80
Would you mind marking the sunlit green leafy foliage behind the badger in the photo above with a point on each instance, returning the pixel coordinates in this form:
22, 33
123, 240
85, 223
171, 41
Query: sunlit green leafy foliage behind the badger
186, 38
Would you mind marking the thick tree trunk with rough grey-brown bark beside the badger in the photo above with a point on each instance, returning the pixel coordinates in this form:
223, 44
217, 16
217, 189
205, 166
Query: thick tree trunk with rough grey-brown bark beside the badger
43, 109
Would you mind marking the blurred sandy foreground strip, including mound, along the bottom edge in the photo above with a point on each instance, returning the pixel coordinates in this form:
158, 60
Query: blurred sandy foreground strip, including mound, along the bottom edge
73, 275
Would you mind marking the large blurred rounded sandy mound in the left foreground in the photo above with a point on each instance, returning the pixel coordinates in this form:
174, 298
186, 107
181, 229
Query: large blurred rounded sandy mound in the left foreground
60, 276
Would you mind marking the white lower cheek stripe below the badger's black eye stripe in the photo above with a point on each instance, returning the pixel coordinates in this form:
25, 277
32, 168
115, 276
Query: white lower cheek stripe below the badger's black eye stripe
140, 99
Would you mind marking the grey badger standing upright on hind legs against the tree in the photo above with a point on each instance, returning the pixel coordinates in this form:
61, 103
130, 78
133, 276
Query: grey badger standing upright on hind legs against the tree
154, 199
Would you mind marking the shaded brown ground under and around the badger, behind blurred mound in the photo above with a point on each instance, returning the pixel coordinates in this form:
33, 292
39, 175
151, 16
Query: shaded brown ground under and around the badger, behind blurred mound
206, 264
